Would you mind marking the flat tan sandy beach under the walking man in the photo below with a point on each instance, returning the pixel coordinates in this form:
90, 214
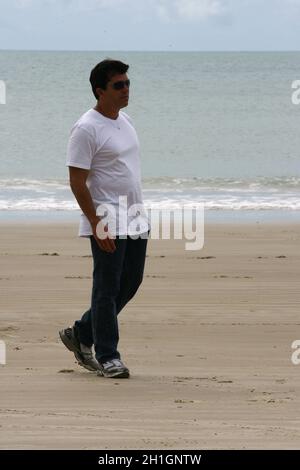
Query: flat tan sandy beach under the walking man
207, 339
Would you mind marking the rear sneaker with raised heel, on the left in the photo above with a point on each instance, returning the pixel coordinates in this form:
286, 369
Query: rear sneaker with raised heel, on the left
83, 354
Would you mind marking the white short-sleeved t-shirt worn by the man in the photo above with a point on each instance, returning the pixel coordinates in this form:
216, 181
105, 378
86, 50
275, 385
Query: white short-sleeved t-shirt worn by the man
109, 148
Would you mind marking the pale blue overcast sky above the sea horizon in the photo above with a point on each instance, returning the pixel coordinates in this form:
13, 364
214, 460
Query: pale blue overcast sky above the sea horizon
156, 25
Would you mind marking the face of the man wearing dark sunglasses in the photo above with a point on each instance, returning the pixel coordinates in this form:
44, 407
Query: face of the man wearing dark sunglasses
116, 97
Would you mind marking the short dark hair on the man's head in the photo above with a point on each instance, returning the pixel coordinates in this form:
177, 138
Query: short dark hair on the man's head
103, 72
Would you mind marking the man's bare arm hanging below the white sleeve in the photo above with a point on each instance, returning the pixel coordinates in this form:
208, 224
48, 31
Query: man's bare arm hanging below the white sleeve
78, 177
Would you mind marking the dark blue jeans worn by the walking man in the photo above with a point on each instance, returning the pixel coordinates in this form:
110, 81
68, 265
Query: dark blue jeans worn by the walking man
116, 278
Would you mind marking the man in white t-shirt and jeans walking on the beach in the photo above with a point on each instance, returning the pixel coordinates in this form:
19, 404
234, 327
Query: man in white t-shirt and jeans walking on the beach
104, 169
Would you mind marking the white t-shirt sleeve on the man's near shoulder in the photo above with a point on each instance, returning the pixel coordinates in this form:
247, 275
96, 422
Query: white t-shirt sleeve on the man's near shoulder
81, 149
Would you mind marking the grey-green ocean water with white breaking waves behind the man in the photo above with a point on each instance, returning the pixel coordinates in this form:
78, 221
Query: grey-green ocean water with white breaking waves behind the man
215, 128
